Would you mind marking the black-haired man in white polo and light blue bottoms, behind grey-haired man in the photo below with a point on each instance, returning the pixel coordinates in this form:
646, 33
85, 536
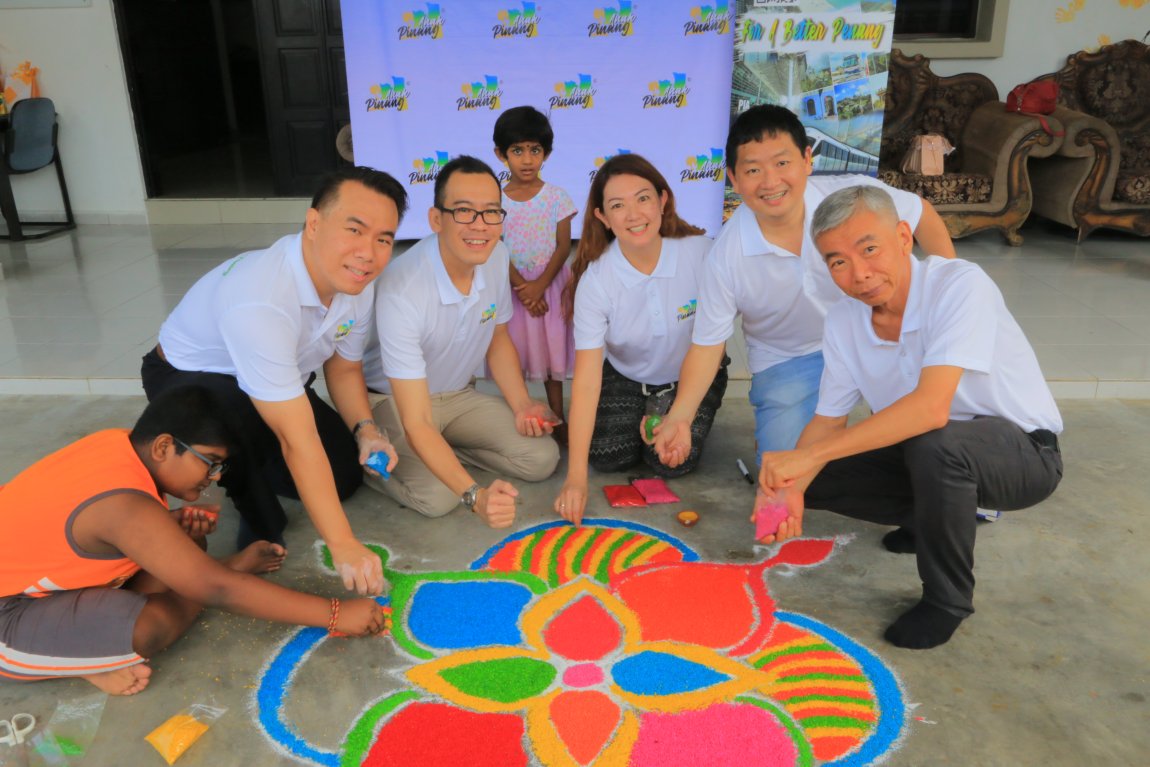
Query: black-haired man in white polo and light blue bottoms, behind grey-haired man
765, 267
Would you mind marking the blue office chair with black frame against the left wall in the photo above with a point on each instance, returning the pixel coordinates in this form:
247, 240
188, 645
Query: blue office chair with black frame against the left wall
28, 145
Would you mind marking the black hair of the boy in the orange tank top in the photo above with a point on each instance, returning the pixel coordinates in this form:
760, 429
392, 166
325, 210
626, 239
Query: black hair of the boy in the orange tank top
191, 415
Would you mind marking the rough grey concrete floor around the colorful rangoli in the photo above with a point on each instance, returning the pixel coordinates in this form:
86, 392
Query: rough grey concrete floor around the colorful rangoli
1053, 670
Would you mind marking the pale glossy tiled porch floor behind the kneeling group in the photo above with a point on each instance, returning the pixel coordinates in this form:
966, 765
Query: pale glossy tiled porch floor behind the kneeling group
79, 311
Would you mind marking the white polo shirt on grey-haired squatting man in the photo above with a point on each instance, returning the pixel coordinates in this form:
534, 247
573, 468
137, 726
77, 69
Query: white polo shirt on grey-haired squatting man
955, 316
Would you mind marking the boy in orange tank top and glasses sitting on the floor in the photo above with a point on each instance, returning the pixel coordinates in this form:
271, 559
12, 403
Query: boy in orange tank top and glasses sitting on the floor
93, 517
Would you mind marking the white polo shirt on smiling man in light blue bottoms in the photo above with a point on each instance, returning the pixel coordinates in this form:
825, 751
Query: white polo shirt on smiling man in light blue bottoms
784, 297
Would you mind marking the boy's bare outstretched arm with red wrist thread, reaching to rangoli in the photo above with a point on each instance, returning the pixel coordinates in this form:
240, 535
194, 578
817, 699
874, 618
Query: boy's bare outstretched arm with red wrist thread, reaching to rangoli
137, 527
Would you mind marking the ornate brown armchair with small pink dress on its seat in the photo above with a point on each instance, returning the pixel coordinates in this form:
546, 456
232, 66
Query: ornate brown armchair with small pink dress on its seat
987, 183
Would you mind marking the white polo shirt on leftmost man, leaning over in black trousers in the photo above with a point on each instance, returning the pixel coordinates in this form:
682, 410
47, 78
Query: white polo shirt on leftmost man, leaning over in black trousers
259, 318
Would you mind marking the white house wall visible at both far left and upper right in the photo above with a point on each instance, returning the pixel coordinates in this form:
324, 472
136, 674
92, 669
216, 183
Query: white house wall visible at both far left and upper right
82, 71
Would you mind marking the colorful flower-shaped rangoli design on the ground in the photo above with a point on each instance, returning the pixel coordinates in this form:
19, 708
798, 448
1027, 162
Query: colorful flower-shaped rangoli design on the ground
607, 645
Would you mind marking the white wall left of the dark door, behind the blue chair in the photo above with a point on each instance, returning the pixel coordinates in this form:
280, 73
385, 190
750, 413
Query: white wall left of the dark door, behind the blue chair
82, 72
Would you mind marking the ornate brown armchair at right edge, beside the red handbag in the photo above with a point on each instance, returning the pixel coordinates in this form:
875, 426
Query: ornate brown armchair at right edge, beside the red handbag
1100, 178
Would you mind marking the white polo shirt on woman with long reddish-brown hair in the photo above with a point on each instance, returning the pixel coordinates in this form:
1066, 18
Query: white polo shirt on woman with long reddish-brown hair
642, 323
